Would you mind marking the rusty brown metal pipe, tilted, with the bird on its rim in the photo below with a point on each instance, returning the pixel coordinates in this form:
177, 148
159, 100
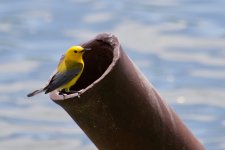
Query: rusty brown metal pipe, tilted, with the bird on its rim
118, 108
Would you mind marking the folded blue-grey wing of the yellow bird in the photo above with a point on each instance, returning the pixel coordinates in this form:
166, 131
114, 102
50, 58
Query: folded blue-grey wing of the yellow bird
61, 78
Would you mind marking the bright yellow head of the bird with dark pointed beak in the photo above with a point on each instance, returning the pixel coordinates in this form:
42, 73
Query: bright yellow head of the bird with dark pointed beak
75, 53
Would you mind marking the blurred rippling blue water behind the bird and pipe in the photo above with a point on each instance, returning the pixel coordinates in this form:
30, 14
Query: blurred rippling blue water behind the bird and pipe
178, 44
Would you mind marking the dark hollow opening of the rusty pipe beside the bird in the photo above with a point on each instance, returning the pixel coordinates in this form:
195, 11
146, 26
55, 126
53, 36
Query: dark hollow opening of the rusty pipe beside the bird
96, 63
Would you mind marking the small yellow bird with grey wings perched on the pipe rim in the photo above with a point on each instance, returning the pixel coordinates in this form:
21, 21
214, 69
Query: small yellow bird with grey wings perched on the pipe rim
69, 70
